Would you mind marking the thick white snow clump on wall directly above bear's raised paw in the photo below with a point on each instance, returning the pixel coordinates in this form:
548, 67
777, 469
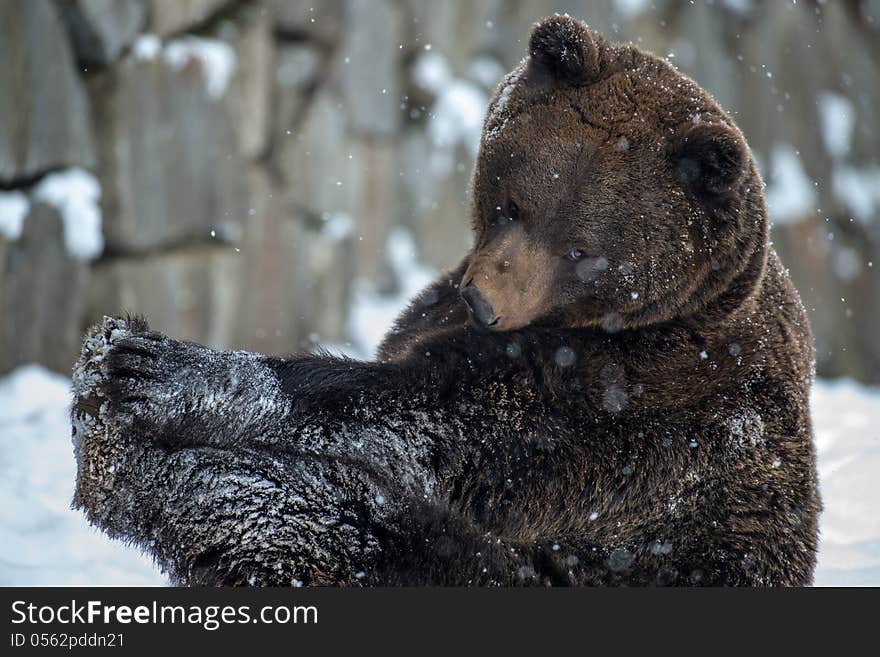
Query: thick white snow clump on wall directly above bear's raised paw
76, 194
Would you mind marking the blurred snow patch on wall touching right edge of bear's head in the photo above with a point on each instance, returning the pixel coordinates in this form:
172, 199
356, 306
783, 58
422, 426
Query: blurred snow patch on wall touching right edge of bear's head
790, 194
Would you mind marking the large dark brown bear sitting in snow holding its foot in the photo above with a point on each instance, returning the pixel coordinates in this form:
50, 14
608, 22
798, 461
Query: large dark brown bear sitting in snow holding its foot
611, 388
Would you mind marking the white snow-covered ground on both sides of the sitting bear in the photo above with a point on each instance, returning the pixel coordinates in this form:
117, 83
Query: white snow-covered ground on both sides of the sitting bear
44, 542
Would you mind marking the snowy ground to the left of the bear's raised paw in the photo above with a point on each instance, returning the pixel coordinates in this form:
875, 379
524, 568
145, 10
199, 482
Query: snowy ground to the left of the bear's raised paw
42, 540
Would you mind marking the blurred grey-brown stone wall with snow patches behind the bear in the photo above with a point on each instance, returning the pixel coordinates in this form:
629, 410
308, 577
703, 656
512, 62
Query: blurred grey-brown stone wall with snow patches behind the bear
270, 174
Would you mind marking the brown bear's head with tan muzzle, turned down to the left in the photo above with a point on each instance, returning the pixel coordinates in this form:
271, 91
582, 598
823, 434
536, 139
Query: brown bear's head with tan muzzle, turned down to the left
610, 191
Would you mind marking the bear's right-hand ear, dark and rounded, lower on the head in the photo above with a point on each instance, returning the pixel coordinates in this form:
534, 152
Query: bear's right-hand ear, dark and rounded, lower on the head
711, 158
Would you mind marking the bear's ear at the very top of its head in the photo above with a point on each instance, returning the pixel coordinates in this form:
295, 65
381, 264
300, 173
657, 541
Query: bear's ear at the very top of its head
564, 48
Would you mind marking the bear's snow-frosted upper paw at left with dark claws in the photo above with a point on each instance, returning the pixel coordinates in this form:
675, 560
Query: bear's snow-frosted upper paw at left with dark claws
180, 393
